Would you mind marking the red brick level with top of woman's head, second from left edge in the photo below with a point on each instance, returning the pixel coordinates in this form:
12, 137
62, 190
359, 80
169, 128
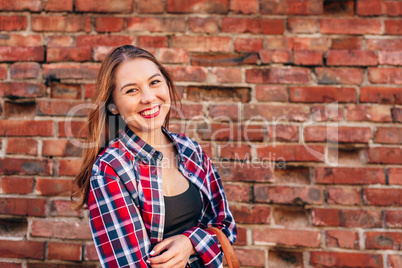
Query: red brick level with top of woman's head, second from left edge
68, 54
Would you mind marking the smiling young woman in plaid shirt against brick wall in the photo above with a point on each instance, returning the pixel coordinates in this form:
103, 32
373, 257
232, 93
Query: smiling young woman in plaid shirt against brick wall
151, 193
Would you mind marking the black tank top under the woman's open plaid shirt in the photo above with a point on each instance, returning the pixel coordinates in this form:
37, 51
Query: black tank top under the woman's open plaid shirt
182, 211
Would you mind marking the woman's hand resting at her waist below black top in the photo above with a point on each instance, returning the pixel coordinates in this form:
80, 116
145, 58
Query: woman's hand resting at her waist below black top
176, 251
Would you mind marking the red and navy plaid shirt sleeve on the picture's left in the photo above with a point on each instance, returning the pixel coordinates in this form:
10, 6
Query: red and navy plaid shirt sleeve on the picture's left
117, 227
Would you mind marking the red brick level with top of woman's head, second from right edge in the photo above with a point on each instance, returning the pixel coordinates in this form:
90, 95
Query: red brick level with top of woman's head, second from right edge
351, 58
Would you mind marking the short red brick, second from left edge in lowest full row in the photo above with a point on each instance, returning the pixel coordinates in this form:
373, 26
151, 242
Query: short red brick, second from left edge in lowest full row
64, 251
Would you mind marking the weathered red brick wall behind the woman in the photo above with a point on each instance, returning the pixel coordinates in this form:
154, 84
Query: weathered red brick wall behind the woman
253, 61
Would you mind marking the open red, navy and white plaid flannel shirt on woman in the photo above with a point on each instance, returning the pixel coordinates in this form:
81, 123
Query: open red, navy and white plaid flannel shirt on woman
126, 203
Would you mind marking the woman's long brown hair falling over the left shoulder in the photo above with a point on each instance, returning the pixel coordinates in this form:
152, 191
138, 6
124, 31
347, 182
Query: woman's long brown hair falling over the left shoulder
97, 127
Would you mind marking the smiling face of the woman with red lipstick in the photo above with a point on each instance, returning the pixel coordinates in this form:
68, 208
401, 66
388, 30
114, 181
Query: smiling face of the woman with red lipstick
141, 95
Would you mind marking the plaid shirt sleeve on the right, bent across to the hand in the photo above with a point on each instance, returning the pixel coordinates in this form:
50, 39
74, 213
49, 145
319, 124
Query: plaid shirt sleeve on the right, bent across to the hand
205, 242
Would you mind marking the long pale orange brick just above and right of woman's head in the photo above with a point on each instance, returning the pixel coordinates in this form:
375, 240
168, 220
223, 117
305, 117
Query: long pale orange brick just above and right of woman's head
202, 43
